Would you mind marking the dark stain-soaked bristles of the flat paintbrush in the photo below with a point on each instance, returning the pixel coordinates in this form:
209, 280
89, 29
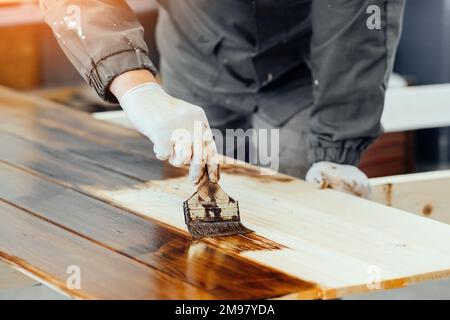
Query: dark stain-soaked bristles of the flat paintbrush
216, 229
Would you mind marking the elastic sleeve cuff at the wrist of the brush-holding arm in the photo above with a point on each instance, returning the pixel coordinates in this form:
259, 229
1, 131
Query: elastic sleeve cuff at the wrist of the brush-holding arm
104, 71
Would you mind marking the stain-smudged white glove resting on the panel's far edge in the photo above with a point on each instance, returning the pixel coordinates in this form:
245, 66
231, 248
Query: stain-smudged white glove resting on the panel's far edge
340, 177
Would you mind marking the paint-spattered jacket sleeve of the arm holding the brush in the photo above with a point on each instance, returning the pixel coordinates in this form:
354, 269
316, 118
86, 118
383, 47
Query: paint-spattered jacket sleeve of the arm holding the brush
102, 38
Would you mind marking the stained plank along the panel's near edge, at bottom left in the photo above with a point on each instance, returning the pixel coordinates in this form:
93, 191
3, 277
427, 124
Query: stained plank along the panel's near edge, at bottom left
47, 251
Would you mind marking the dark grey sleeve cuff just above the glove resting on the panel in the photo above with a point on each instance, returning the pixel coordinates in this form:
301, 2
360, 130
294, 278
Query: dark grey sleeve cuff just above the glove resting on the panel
336, 155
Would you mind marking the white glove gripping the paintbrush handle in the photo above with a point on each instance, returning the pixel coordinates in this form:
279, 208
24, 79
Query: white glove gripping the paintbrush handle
179, 130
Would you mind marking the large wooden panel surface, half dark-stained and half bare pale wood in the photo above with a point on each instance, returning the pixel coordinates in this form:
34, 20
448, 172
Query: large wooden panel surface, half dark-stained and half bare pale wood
76, 191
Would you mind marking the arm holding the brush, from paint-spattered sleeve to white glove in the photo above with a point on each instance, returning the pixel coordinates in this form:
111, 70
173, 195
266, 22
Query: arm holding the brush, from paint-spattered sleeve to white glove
104, 41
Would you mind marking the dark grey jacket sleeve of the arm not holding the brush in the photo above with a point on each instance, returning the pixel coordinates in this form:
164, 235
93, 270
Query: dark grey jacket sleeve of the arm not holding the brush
351, 60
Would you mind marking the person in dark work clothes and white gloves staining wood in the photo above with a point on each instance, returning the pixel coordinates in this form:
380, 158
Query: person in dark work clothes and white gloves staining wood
315, 69
